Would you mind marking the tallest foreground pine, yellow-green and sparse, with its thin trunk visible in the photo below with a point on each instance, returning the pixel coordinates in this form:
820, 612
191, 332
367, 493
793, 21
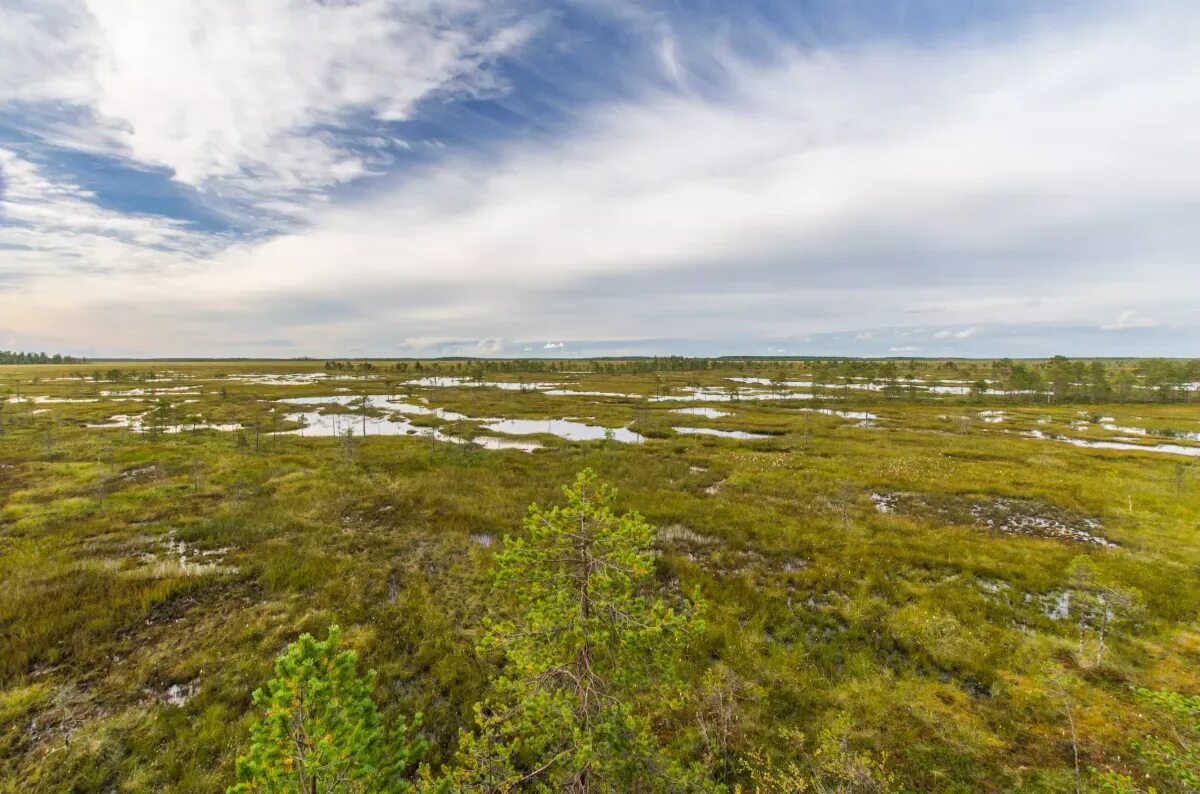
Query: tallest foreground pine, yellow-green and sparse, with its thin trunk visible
590, 659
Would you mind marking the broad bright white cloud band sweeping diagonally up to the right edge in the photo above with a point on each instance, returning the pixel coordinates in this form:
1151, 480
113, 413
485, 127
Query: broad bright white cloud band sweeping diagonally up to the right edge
955, 149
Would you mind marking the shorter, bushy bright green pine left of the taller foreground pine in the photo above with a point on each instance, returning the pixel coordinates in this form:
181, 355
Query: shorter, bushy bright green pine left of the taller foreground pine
320, 732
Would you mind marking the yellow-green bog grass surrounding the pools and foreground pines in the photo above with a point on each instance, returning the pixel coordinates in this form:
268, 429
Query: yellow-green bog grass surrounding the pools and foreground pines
928, 628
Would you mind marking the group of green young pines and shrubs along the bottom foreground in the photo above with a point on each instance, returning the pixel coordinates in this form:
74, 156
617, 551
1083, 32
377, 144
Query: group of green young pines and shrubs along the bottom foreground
585, 697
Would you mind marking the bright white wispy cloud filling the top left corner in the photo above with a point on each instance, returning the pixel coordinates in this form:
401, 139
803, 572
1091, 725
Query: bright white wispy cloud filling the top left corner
245, 99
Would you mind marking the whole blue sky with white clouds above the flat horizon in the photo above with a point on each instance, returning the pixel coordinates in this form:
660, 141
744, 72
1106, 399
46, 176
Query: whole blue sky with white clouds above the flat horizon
494, 178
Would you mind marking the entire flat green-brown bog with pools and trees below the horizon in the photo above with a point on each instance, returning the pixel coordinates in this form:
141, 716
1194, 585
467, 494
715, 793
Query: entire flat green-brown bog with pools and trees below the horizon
848, 576
